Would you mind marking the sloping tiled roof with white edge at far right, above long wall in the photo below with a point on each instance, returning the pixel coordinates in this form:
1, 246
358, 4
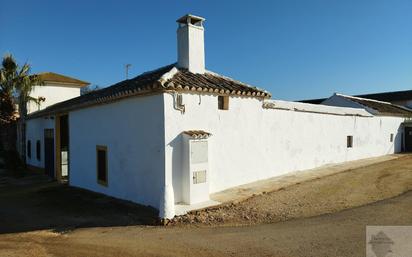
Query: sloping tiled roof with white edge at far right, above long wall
382, 108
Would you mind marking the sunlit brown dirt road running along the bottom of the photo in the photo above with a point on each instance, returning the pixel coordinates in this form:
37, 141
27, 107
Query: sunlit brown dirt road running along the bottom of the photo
340, 234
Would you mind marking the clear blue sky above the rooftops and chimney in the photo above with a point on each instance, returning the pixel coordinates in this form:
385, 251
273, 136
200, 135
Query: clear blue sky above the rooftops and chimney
294, 49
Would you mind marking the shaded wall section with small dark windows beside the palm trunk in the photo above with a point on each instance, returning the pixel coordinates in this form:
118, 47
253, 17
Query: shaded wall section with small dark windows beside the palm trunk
35, 131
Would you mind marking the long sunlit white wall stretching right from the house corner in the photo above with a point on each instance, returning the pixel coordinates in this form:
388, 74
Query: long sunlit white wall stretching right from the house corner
250, 143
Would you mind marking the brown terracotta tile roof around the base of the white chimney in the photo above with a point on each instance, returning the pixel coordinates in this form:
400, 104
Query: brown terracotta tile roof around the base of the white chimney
167, 78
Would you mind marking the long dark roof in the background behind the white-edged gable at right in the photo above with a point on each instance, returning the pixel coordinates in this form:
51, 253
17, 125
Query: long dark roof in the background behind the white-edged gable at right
403, 98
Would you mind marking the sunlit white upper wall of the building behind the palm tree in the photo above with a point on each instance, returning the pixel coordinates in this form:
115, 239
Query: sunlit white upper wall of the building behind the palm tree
53, 93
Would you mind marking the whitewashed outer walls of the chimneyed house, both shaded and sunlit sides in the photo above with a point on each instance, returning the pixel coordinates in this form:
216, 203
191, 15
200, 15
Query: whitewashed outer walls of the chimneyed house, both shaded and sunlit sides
148, 154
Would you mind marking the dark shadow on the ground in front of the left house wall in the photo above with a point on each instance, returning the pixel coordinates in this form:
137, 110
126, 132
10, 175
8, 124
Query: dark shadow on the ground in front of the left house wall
35, 202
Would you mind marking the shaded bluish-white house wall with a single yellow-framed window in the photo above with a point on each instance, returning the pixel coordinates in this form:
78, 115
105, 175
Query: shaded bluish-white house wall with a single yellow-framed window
133, 131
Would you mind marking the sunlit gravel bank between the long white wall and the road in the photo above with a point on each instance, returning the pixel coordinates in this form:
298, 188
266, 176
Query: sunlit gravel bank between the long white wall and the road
348, 189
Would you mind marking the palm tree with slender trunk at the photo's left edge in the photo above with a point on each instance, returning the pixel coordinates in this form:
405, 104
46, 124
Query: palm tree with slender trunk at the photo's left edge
17, 83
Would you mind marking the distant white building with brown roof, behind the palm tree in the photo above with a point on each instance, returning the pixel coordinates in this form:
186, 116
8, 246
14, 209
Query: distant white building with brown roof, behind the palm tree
56, 88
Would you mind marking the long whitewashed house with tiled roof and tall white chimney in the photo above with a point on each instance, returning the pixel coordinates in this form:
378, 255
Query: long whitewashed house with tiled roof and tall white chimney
176, 134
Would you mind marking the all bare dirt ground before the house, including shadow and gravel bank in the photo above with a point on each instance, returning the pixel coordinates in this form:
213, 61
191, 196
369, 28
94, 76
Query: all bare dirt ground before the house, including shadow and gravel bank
42, 218
